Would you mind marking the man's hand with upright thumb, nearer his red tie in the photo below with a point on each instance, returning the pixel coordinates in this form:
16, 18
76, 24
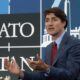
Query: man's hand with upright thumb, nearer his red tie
38, 65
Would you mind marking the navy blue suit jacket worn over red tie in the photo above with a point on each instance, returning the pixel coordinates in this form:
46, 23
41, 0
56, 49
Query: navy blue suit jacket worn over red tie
66, 65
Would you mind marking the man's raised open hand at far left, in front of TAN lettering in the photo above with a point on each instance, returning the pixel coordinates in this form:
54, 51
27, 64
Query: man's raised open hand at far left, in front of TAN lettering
12, 67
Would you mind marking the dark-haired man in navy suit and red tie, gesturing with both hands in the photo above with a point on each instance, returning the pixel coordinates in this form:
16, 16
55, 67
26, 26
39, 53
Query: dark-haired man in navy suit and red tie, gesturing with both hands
66, 64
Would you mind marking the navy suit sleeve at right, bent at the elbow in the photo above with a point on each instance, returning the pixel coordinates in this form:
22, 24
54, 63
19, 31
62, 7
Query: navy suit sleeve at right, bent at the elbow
72, 69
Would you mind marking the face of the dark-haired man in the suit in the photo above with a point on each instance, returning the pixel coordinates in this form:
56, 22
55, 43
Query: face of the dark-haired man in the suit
54, 25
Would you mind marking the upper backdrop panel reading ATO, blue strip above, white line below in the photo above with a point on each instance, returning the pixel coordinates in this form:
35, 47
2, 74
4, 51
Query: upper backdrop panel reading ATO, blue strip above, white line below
19, 23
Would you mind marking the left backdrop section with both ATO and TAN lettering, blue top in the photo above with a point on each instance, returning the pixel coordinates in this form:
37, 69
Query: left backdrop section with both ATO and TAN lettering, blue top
19, 32
